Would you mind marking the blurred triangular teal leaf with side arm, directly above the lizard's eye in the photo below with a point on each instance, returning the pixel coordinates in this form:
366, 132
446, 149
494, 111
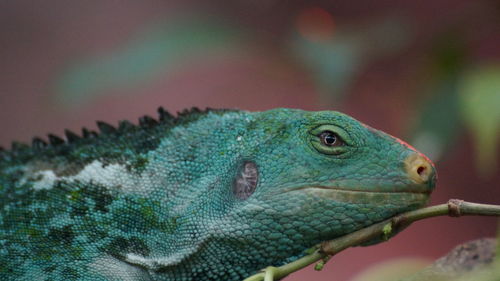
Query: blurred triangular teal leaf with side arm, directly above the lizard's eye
333, 63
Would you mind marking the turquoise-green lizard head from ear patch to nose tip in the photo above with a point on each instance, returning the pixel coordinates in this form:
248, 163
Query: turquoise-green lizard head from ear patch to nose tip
319, 175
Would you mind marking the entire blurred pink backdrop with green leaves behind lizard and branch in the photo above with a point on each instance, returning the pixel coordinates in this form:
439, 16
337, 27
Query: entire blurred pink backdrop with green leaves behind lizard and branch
426, 71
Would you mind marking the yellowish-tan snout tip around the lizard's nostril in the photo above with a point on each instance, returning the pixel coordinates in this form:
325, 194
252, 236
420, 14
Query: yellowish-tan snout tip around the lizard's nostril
420, 169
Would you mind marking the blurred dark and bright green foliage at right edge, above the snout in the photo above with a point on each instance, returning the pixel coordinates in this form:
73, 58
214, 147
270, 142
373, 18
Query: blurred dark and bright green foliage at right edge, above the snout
461, 98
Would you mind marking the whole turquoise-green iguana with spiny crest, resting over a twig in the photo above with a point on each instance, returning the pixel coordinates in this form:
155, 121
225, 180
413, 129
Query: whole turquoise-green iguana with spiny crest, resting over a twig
206, 195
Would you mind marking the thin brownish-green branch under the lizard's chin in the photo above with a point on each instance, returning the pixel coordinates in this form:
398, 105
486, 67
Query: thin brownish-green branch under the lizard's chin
384, 230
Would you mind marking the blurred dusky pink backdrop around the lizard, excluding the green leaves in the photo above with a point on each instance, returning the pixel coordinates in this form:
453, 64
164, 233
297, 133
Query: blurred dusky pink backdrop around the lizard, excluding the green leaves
39, 41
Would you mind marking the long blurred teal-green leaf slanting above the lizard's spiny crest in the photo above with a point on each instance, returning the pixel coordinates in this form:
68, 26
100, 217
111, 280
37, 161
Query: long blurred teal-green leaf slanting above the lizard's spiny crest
155, 51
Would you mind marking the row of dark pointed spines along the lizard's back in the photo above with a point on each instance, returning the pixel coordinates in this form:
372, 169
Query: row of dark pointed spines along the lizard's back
165, 119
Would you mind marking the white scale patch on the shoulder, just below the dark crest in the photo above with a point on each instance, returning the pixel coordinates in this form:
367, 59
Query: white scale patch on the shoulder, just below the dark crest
111, 176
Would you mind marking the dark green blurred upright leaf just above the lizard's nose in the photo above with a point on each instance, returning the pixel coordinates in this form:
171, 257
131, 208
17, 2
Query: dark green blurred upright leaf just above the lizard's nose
439, 122
